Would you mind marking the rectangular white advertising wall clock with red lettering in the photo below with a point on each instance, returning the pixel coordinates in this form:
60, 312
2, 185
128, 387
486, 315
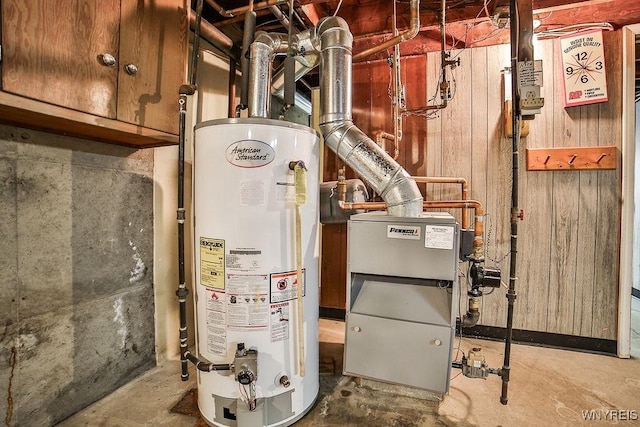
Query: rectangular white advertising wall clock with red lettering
584, 75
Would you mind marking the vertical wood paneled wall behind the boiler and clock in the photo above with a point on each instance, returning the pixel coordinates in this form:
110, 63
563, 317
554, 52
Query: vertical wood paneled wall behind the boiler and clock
568, 243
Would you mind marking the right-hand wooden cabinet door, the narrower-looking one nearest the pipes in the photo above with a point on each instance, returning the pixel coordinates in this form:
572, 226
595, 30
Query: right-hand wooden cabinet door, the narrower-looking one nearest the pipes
154, 40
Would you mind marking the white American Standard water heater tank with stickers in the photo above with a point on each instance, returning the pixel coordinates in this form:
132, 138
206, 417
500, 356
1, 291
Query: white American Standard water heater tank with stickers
246, 271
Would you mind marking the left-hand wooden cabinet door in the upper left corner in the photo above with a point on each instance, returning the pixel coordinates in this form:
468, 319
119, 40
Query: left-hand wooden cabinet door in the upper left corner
52, 52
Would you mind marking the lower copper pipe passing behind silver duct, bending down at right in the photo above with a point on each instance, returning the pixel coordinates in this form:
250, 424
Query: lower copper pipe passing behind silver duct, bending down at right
478, 224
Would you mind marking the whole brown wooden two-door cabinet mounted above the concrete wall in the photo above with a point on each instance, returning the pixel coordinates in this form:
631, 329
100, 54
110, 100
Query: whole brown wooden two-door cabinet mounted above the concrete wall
108, 69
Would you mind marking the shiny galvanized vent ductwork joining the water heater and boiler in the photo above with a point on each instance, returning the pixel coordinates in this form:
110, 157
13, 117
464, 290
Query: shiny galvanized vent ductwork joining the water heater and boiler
333, 40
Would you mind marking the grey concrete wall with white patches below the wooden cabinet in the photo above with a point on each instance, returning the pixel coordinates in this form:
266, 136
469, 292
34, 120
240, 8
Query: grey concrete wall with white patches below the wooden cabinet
76, 263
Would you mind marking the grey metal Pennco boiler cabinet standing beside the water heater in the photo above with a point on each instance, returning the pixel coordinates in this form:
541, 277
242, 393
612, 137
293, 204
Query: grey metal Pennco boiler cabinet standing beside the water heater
402, 294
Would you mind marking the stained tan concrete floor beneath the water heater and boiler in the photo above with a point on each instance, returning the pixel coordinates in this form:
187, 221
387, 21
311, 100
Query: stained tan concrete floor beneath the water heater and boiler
548, 387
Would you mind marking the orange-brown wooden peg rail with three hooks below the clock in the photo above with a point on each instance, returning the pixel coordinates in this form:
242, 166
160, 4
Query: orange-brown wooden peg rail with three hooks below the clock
571, 158
